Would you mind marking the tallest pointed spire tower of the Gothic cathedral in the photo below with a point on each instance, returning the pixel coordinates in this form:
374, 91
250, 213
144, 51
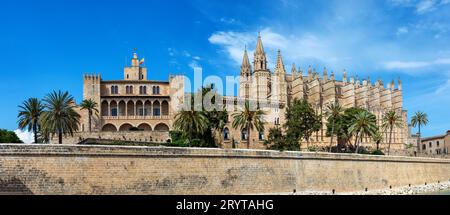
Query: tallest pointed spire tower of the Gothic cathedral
261, 75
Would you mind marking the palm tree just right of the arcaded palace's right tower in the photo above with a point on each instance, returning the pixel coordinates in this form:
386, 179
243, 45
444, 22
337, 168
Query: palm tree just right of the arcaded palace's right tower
190, 121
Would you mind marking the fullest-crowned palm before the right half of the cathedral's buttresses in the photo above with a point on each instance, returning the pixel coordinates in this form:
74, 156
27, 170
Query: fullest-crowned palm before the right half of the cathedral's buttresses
363, 125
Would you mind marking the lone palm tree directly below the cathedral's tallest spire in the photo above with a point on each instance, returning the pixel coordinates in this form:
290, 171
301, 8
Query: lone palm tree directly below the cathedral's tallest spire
249, 119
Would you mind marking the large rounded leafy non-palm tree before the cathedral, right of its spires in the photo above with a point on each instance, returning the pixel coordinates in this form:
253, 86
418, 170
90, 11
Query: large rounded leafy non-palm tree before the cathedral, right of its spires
301, 121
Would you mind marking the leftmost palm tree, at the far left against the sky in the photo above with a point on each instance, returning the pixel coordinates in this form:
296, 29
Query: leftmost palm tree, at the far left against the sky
29, 114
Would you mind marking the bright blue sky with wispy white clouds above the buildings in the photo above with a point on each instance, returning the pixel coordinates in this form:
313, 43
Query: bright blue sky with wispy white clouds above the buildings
49, 45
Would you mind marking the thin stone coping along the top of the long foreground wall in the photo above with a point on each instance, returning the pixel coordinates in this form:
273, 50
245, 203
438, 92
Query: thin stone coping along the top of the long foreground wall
162, 151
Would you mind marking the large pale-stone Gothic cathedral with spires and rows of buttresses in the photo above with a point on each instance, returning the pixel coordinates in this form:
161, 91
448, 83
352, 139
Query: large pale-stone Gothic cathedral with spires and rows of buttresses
278, 88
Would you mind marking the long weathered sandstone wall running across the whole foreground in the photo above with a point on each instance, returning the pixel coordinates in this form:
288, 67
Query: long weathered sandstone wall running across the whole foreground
75, 169
